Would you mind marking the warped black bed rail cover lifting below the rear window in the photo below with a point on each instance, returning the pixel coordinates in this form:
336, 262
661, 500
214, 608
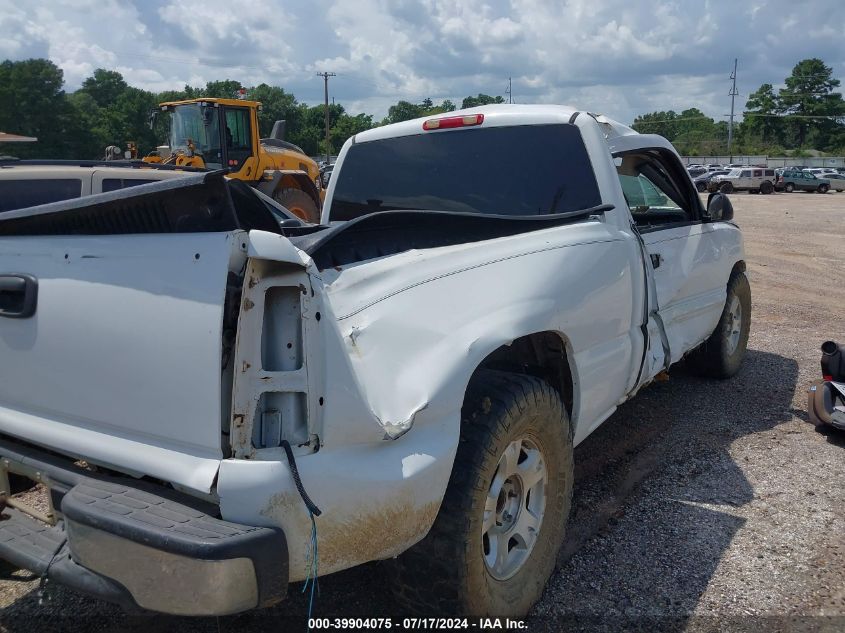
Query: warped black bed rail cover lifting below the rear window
390, 232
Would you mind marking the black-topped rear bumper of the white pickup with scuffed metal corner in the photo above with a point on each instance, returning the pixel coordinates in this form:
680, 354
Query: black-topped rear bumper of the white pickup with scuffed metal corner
135, 545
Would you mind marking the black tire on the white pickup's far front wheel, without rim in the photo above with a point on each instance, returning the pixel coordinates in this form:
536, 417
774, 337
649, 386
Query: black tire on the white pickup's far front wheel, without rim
714, 357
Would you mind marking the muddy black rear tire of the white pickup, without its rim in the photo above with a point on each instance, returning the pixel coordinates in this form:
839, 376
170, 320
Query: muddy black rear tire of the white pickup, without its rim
446, 572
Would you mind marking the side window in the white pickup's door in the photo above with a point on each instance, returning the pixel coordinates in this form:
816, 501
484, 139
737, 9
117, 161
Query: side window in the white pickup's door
654, 198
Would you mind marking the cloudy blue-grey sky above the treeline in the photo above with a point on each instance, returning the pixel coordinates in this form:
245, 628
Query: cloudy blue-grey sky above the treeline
616, 57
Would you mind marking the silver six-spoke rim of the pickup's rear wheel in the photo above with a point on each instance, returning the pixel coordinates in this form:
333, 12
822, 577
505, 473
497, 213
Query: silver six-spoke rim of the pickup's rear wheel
514, 509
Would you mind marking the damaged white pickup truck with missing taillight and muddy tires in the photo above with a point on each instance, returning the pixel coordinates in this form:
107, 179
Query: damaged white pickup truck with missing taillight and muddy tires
194, 382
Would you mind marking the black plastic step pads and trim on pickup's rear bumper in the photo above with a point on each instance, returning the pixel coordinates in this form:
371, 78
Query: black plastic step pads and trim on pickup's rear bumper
144, 513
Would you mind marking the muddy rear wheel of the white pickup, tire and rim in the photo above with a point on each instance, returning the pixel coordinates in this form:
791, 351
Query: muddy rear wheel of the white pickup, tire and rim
495, 540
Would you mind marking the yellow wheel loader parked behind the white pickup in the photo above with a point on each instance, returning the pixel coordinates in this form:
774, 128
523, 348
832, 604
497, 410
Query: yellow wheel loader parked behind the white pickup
223, 133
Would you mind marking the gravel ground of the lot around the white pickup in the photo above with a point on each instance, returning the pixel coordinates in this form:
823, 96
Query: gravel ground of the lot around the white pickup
700, 505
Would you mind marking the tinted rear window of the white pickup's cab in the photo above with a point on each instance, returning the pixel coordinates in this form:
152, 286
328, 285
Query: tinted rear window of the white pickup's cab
518, 170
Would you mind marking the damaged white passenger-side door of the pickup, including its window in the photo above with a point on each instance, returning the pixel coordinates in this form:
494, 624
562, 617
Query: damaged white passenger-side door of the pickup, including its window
686, 252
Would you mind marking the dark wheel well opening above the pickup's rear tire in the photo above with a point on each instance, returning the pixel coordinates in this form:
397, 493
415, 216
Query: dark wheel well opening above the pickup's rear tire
542, 355
